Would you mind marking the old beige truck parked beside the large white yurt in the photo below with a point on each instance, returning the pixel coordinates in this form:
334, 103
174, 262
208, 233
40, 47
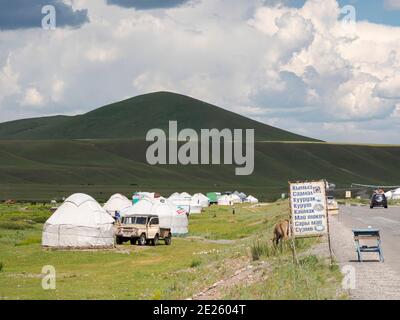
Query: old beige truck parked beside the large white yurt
142, 229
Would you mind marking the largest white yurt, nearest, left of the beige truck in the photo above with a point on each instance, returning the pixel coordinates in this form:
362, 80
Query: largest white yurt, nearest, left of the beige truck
79, 223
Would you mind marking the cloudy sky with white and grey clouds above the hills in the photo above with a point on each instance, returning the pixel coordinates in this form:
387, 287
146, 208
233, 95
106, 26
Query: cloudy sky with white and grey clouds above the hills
305, 66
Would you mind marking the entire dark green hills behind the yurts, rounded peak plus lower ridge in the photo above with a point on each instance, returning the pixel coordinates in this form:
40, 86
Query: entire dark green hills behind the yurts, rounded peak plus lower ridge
103, 152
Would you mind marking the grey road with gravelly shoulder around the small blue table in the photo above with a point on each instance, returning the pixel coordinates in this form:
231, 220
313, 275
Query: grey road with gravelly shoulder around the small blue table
374, 280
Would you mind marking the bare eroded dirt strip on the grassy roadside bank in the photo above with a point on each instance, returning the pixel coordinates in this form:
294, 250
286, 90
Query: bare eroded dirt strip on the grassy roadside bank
245, 274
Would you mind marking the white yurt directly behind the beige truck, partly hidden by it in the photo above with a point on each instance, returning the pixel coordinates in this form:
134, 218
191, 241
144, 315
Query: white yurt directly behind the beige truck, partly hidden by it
170, 215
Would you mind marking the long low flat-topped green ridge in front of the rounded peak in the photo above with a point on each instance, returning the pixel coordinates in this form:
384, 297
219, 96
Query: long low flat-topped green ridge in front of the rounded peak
45, 169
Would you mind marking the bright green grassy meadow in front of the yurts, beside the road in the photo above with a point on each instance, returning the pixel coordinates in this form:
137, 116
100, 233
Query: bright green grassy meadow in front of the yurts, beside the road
219, 244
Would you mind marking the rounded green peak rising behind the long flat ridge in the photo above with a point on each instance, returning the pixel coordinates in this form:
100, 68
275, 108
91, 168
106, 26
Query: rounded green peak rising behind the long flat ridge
134, 117
